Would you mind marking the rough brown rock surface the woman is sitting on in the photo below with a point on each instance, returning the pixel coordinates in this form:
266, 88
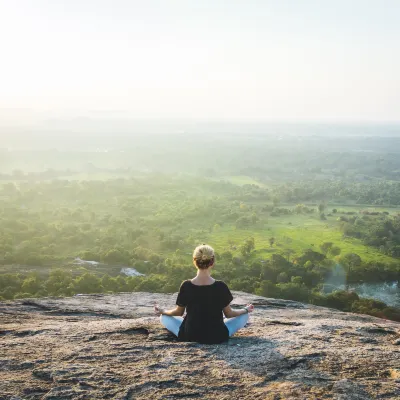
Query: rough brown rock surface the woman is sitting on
113, 347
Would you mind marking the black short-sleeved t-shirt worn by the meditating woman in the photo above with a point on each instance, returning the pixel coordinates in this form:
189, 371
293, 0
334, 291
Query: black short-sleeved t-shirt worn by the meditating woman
204, 321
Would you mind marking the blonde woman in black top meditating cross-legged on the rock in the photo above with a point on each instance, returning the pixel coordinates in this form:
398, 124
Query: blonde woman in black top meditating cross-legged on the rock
204, 299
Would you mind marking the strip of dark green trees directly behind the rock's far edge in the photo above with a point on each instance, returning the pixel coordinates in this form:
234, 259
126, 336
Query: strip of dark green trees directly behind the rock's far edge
60, 282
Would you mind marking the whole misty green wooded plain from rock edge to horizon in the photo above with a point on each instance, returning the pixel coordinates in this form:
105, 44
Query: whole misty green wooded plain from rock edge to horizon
296, 217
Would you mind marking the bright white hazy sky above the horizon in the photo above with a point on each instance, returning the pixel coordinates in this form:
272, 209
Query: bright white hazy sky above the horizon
231, 59
